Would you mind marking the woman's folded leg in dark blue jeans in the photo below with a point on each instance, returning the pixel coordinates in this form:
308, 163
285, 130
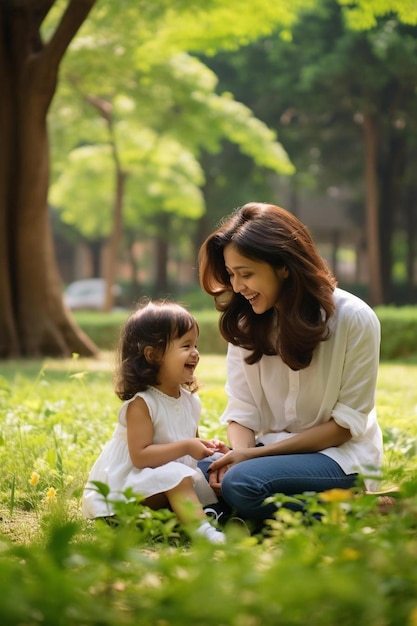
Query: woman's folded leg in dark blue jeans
246, 485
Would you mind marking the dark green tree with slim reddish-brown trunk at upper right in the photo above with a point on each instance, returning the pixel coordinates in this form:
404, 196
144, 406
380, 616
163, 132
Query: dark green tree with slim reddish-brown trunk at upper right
338, 123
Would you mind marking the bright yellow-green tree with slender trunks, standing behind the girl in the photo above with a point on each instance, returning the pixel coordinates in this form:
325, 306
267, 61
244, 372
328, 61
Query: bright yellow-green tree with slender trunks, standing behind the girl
157, 152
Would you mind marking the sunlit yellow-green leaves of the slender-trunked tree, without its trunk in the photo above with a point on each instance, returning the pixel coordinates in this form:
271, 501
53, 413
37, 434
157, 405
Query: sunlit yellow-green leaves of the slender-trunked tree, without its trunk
161, 121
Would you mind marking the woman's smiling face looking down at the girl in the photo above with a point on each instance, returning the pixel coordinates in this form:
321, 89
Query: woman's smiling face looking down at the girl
257, 281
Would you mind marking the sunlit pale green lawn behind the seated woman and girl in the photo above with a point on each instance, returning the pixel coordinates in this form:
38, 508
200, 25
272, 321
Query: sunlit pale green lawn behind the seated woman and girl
57, 414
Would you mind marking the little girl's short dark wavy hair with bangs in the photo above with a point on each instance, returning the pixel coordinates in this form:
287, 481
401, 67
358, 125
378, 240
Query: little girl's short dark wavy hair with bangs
154, 324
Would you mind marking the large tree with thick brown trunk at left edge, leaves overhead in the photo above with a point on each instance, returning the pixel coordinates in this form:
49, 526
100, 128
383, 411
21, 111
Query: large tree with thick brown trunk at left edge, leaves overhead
34, 37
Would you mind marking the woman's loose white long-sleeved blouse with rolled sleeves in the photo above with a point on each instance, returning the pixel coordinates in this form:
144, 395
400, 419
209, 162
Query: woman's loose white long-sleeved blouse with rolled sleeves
277, 402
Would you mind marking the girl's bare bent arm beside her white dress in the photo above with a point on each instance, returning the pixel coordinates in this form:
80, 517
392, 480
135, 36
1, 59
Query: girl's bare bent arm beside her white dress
143, 452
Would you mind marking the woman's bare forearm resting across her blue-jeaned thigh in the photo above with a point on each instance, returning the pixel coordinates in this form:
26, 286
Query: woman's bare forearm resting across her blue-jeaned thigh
313, 439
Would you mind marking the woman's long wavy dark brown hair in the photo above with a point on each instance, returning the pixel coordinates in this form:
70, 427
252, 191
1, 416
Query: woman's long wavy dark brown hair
265, 232
